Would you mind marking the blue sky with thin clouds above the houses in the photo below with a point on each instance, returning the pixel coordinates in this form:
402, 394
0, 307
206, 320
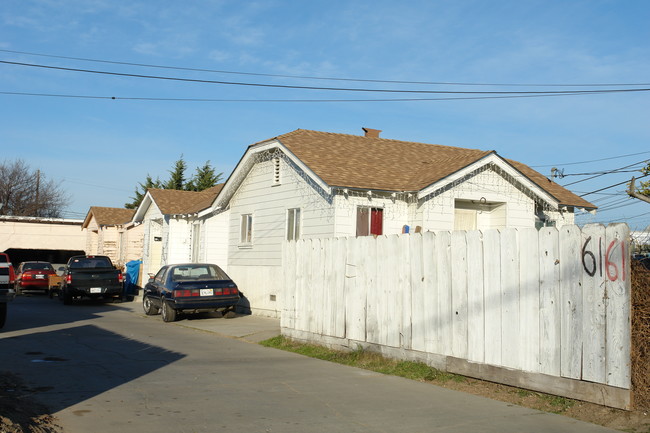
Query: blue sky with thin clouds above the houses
99, 149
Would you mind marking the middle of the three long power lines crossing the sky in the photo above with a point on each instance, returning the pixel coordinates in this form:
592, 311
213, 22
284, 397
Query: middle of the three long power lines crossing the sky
343, 89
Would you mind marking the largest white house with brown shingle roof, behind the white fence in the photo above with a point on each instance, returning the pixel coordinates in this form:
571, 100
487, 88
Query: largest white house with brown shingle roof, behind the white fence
307, 184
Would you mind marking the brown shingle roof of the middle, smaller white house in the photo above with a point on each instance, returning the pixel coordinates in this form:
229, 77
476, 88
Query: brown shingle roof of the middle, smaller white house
175, 202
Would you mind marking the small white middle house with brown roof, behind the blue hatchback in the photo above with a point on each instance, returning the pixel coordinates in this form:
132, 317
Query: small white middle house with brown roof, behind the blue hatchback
173, 231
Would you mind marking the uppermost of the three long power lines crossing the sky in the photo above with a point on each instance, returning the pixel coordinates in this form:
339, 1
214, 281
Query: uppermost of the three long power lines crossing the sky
179, 68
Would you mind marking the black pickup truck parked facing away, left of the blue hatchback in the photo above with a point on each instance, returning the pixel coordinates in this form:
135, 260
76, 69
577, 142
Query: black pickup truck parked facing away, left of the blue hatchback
93, 277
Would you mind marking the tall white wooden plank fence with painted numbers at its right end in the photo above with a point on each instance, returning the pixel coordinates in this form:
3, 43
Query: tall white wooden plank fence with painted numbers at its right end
554, 302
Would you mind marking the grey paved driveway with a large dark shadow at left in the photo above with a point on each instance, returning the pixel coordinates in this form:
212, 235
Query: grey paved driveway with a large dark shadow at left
106, 368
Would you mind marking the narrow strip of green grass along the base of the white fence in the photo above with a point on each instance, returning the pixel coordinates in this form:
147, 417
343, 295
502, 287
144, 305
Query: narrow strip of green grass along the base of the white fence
367, 360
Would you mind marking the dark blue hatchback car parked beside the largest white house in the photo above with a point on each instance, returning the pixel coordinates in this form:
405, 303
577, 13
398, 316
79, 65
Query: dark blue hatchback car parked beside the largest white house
190, 288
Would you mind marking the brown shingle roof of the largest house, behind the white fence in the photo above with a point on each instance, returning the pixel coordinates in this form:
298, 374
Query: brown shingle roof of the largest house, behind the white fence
354, 161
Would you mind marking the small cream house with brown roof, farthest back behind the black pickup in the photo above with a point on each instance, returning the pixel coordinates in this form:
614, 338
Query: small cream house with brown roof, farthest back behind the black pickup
109, 233
